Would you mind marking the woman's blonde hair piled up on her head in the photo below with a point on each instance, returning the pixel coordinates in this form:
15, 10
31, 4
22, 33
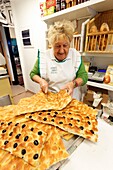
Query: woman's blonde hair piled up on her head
61, 29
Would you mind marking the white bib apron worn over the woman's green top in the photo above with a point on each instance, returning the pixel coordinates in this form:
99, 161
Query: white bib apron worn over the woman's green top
56, 73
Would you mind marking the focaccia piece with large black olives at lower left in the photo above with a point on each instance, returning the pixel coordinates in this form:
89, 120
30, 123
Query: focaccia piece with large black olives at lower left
23, 142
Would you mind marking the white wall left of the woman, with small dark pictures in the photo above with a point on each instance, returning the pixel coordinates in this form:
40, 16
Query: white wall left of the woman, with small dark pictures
26, 15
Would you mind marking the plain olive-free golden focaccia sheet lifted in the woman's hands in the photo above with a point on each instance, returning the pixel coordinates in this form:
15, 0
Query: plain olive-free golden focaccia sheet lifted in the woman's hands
41, 101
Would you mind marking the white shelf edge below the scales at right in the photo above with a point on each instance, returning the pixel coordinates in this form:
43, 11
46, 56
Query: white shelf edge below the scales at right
100, 85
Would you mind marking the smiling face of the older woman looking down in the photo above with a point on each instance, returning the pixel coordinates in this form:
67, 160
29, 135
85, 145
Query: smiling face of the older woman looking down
61, 49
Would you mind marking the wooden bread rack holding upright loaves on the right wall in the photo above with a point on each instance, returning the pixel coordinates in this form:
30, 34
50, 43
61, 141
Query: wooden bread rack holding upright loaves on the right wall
99, 34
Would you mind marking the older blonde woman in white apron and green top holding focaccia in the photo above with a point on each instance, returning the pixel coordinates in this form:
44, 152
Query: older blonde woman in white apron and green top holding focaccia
60, 67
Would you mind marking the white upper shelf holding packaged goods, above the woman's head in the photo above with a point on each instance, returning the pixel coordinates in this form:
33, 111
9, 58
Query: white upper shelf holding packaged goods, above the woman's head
86, 9
